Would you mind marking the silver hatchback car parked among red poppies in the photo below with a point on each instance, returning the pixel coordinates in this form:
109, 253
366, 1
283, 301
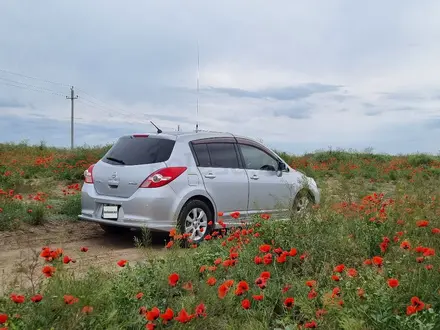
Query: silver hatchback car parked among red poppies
183, 180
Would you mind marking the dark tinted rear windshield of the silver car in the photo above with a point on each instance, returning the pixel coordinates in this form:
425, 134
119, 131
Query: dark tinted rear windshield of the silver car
139, 151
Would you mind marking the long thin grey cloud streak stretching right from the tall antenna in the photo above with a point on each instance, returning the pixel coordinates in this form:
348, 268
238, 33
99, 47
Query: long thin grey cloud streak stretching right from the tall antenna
282, 94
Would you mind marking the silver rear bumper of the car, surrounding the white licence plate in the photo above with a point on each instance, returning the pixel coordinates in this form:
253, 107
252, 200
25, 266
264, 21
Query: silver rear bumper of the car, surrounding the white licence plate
146, 208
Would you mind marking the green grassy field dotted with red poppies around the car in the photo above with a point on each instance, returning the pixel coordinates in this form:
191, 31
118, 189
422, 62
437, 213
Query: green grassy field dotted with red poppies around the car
365, 258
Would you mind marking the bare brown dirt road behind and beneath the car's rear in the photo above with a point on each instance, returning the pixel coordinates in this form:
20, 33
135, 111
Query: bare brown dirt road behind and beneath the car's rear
18, 249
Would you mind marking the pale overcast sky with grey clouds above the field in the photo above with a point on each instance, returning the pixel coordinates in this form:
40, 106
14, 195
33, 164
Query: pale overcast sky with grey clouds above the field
300, 75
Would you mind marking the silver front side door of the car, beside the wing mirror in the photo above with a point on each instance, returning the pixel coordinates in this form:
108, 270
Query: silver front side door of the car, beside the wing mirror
268, 192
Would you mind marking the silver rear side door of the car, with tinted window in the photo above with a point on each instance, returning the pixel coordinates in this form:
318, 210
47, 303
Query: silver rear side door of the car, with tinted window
224, 178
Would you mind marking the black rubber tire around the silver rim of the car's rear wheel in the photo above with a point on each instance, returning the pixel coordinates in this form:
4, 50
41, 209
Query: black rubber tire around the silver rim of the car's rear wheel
185, 212
